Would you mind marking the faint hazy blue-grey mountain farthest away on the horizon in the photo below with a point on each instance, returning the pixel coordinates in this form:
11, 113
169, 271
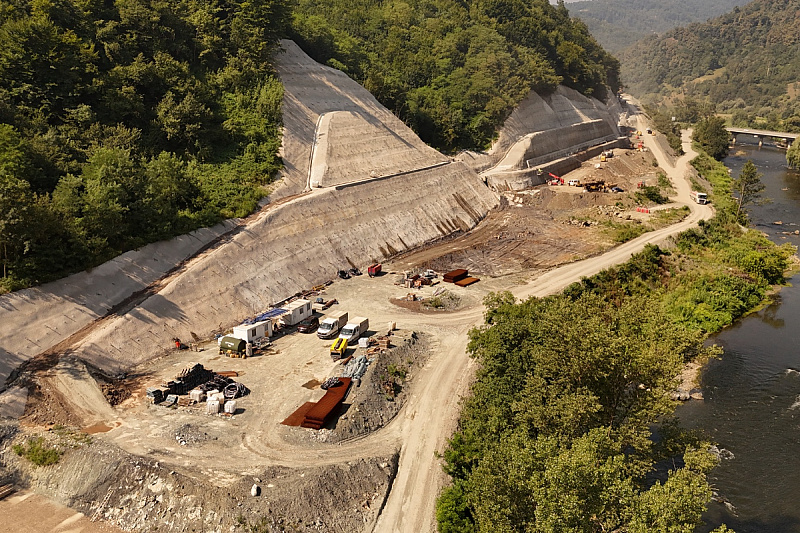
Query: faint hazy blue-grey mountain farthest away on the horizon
617, 24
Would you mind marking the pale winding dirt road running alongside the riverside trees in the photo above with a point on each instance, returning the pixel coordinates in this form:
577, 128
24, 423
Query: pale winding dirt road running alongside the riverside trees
431, 414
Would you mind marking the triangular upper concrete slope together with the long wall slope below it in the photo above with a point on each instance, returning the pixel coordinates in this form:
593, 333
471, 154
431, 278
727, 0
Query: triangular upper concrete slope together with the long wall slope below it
306, 240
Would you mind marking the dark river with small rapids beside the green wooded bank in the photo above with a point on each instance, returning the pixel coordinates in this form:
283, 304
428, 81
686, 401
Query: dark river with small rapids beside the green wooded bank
752, 394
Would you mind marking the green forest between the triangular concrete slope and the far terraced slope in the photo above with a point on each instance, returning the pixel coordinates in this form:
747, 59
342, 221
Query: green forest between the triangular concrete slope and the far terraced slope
452, 69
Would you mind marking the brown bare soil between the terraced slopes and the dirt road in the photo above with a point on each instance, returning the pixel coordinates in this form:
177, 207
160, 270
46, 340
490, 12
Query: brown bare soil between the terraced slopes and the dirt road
538, 229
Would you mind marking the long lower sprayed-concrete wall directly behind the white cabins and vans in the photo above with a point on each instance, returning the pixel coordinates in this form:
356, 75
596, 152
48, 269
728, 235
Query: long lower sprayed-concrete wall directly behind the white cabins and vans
294, 247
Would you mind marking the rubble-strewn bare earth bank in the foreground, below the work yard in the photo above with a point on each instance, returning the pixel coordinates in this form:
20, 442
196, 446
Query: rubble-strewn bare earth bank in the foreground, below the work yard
141, 494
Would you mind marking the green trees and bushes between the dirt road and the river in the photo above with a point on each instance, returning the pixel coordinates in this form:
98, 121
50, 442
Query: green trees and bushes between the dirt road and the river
569, 424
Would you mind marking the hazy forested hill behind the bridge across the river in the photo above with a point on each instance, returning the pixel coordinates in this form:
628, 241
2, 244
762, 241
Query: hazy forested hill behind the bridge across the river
746, 62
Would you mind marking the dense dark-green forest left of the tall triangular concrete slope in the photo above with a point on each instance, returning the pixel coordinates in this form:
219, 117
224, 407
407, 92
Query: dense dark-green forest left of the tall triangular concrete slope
126, 122
